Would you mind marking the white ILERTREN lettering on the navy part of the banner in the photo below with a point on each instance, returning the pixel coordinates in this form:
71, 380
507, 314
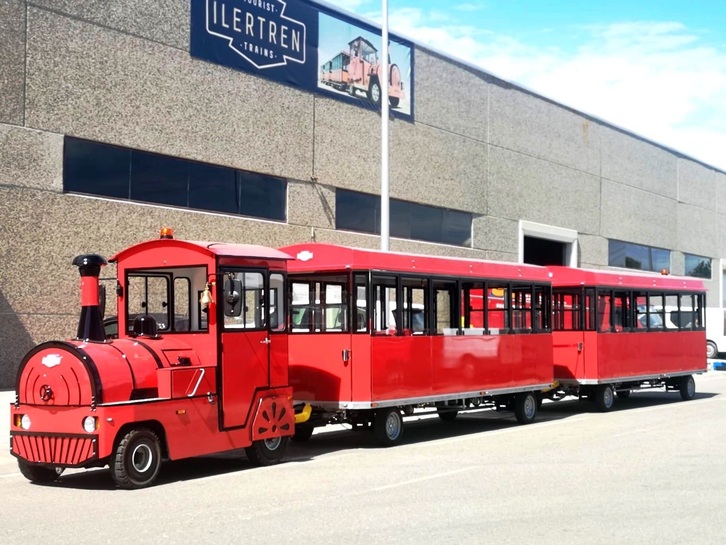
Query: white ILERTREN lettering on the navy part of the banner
254, 27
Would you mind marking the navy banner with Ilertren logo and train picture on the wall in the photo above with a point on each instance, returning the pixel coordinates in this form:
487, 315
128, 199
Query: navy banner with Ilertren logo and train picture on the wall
299, 43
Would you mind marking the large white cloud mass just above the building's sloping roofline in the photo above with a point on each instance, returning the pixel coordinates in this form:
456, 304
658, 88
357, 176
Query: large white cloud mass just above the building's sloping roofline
657, 79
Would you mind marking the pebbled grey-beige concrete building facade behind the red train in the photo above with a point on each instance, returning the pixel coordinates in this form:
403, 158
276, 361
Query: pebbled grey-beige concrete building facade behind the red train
120, 72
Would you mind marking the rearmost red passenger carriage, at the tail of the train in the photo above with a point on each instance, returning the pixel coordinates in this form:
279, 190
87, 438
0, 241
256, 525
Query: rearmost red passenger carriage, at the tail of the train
618, 331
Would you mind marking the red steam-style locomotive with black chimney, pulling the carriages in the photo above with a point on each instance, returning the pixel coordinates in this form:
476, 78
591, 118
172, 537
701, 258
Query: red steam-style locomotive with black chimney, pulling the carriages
199, 366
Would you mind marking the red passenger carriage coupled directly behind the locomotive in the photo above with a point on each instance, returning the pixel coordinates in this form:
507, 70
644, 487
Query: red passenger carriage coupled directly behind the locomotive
376, 335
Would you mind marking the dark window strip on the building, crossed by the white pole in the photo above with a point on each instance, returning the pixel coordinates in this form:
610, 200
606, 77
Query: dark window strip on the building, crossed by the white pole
361, 212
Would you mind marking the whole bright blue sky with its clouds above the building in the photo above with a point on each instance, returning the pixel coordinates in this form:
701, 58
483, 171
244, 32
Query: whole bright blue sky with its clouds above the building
656, 68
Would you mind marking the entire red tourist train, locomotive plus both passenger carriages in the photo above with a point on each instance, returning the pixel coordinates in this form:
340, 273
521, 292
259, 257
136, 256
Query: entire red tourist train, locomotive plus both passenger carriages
230, 346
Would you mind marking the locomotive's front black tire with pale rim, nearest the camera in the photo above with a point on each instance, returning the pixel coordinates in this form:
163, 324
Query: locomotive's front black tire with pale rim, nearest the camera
137, 459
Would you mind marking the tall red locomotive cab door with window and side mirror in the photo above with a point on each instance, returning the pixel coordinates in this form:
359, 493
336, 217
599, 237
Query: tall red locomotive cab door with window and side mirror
245, 353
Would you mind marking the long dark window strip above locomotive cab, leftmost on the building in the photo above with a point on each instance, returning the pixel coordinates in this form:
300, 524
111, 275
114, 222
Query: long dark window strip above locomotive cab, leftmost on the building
111, 171
